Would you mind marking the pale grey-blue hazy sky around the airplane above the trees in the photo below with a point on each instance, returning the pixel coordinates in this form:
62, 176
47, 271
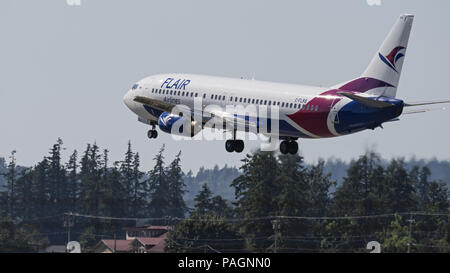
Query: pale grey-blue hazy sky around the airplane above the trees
64, 69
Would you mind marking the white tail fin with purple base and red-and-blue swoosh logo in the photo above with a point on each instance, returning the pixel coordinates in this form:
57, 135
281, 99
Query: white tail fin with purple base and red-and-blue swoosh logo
382, 76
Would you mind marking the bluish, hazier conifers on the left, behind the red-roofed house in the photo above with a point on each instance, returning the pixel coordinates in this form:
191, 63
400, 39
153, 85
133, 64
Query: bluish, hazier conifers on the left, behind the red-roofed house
36, 200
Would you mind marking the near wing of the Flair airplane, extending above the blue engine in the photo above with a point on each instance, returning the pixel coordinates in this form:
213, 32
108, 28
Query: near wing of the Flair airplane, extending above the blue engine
218, 117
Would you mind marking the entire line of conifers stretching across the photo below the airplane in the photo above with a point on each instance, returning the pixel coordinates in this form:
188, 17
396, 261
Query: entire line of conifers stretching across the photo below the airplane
267, 187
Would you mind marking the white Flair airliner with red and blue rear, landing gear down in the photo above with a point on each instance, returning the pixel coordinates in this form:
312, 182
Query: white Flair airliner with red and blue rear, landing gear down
365, 102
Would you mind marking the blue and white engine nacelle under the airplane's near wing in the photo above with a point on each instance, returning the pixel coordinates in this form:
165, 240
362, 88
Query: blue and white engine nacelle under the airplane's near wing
175, 124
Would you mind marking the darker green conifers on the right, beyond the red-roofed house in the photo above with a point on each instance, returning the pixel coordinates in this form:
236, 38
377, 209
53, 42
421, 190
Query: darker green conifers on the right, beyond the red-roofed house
405, 210
